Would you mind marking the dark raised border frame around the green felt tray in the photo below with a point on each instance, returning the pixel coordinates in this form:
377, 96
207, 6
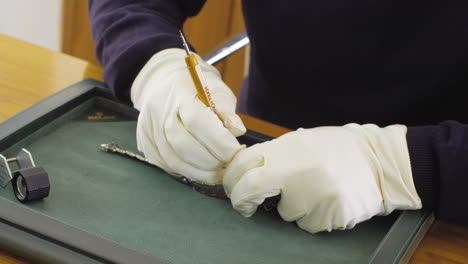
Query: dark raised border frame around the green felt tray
46, 240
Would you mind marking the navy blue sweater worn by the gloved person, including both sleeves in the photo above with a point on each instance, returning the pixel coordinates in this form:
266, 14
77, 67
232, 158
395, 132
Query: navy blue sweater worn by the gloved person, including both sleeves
317, 63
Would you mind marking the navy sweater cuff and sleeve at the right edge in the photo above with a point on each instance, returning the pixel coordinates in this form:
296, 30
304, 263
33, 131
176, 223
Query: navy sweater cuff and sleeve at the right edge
439, 160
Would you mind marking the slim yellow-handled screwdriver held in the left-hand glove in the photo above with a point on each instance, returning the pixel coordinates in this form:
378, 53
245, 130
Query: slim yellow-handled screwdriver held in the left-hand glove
198, 77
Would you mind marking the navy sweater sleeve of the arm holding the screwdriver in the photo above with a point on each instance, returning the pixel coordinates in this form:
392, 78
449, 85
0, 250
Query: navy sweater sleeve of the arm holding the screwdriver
127, 33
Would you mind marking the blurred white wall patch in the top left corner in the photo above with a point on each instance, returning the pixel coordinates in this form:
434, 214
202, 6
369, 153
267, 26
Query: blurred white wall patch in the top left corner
35, 21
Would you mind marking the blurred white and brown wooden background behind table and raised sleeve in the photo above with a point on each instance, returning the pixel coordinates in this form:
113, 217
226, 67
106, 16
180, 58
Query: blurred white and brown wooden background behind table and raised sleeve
62, 25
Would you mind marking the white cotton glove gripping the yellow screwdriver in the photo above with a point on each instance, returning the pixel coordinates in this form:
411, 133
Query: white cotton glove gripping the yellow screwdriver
175, 130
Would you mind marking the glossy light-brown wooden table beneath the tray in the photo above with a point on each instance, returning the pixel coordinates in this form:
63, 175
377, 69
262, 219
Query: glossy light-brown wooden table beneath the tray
29, 73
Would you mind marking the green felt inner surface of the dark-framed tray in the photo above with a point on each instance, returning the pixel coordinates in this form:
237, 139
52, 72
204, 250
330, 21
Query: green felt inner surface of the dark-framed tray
141, 207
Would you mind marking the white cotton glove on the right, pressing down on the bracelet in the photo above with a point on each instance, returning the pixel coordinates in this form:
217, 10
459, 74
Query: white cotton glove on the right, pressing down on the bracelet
328, 177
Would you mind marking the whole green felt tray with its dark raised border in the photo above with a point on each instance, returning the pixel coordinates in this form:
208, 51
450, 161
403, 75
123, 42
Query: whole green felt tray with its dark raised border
104, 207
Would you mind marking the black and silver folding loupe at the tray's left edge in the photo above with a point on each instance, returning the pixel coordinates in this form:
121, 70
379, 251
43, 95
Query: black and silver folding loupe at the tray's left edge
30, 182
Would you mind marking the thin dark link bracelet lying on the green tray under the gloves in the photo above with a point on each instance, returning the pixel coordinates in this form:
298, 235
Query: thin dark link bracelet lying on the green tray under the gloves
212, 190
